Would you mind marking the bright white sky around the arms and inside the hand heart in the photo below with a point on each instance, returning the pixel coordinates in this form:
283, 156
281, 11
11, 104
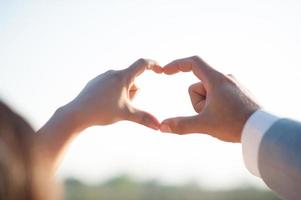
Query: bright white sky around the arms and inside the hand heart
50, 49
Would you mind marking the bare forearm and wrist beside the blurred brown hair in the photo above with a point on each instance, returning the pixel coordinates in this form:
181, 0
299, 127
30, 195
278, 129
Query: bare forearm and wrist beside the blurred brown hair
56, 134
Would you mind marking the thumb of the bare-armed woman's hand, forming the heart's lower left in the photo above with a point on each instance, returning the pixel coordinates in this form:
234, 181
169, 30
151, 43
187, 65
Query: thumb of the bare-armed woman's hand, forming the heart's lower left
143, 118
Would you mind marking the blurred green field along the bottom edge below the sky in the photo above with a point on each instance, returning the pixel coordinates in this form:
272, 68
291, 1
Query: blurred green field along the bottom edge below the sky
125, 188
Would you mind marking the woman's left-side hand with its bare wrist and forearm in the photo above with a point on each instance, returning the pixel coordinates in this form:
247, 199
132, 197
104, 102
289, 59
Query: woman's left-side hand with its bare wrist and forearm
105, 99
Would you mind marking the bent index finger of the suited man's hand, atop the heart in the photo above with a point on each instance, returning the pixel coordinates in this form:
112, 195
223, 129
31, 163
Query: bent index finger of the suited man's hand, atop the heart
195, 64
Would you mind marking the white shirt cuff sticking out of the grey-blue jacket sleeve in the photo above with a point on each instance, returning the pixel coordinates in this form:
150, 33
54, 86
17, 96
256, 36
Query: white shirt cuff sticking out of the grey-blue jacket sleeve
256, 126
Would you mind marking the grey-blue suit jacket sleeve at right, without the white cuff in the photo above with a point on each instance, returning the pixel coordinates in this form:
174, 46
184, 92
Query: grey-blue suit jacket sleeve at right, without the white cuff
279, 159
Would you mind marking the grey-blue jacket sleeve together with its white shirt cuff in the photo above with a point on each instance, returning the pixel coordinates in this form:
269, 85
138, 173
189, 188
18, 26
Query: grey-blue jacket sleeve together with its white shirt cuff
278, 154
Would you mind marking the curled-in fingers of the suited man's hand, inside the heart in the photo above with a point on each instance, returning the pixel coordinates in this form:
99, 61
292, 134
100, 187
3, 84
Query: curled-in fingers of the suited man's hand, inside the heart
197, 95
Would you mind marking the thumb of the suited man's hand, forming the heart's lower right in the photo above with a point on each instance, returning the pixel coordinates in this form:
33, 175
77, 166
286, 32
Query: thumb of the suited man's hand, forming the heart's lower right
181, 125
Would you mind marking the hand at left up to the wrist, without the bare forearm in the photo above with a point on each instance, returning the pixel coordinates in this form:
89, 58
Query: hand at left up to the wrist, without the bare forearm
107, 98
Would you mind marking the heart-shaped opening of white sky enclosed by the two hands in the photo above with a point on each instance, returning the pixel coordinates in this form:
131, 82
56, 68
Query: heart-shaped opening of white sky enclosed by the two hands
164, 96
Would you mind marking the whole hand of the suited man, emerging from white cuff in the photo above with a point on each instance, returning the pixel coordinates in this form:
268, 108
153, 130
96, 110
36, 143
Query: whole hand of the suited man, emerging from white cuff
223, 106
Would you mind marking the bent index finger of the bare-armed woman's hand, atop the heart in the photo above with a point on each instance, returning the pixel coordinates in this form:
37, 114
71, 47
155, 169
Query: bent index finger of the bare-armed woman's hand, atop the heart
141, 65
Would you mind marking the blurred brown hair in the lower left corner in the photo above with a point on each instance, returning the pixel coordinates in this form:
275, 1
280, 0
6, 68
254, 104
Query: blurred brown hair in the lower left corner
19, 169
